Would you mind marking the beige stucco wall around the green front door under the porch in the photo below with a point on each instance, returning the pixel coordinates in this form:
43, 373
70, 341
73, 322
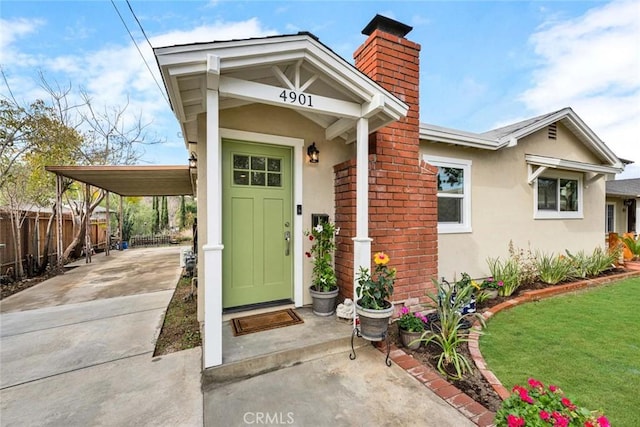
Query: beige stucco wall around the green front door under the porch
317, 179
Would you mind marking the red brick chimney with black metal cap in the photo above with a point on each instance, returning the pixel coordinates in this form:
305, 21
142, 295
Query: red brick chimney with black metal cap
402, 188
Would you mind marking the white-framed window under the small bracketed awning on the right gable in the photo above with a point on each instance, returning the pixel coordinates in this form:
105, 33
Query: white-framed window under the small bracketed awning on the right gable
558, 197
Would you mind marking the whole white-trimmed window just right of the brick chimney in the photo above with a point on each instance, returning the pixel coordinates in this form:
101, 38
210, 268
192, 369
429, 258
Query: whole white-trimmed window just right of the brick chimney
454, 194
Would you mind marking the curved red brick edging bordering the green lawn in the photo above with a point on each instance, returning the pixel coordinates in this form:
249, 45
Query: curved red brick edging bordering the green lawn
474, 336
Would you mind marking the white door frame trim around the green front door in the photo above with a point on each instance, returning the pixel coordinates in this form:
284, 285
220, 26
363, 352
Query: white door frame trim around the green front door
297, 144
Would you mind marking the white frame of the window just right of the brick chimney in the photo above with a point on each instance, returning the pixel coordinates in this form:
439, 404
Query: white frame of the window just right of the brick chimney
465, 165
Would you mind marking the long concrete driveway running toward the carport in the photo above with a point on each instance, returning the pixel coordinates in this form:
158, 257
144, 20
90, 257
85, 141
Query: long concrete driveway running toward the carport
77, 349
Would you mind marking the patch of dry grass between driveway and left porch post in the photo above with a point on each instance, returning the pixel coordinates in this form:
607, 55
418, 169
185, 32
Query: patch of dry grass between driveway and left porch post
180, 330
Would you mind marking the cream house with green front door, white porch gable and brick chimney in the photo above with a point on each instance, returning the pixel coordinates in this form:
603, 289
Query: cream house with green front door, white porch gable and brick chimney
256, 112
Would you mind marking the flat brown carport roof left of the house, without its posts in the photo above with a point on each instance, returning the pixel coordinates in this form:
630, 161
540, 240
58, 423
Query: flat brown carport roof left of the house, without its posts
132, 180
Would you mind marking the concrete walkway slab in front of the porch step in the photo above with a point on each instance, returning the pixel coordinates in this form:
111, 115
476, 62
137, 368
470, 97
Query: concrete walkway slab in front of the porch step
331, 391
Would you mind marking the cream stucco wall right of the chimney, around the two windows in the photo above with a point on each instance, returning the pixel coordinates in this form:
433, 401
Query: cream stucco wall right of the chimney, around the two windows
502, 205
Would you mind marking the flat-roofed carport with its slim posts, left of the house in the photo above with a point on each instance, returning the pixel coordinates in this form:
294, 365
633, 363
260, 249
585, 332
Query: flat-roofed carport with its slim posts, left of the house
125, 181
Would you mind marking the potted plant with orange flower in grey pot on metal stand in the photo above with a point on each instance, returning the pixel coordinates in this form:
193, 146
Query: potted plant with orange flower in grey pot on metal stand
372, 306
